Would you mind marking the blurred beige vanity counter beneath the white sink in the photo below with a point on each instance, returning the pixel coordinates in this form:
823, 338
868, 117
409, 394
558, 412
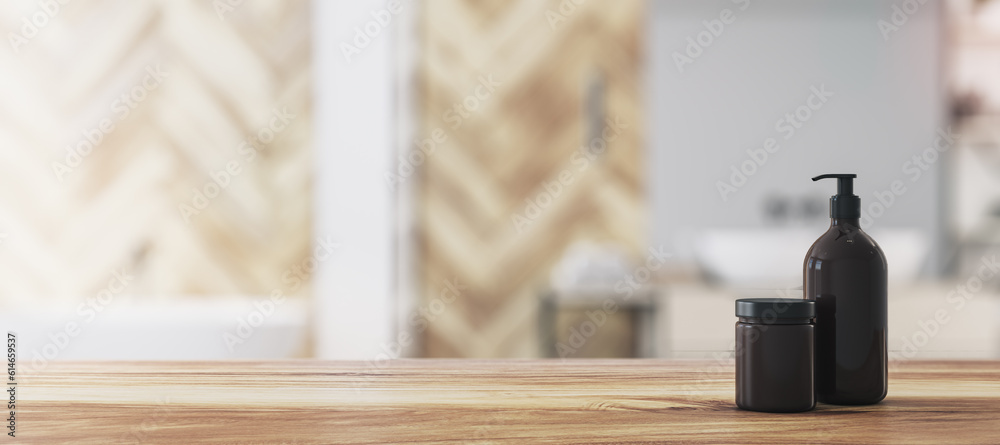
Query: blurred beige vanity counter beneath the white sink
927, 320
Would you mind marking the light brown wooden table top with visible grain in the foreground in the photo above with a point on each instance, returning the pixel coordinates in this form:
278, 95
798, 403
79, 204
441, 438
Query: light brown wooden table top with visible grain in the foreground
503, 401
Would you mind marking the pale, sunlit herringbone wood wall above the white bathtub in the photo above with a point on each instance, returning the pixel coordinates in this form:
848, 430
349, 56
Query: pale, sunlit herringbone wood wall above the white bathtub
182, 84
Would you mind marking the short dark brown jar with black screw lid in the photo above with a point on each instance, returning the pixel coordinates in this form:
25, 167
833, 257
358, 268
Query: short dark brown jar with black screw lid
774, 354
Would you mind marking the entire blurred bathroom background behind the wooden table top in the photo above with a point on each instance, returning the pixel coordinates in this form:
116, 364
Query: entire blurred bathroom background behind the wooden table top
441, 178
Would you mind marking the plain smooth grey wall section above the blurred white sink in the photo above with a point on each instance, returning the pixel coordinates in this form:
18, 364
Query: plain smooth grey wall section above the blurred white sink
888, 101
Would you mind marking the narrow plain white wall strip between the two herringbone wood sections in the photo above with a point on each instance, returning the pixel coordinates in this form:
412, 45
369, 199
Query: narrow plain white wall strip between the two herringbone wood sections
355, 136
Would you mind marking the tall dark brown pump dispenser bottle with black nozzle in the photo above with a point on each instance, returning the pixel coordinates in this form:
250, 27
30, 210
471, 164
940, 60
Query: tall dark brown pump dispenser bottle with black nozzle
845, 273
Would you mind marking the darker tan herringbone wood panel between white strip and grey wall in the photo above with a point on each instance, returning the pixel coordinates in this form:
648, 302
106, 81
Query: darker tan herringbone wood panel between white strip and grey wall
506, 147
